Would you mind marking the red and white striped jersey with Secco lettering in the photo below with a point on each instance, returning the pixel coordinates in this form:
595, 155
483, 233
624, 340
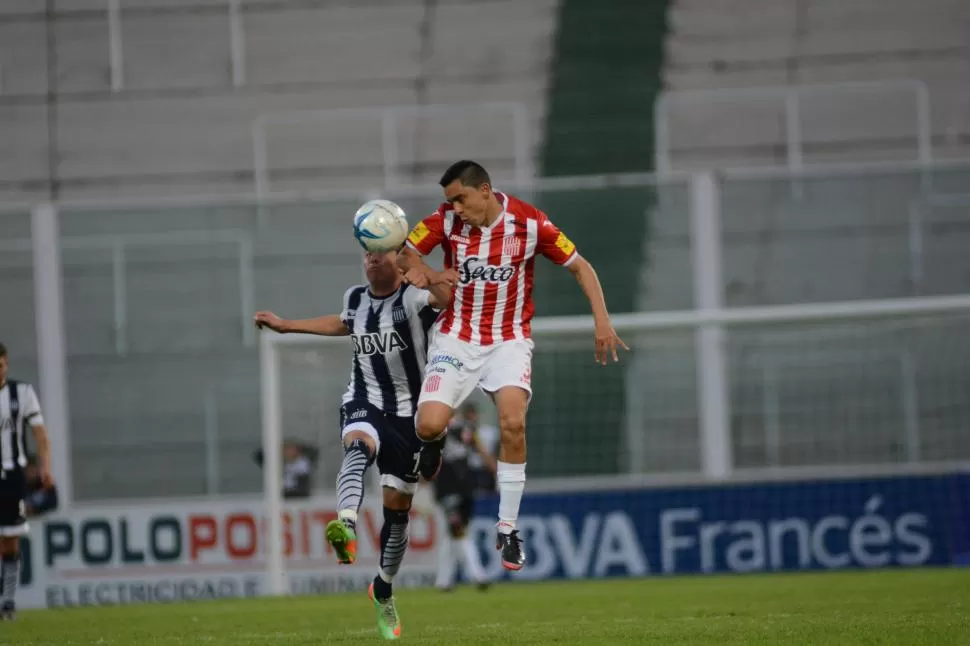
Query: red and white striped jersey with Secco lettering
495, 264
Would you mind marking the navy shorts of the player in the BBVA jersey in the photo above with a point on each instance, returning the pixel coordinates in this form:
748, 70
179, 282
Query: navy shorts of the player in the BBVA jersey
398, 445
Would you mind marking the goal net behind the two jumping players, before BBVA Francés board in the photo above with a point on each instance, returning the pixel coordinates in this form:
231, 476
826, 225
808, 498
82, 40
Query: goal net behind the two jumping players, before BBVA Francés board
843, 426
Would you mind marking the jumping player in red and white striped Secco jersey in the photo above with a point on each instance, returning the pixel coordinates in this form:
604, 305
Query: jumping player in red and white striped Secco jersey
483, 339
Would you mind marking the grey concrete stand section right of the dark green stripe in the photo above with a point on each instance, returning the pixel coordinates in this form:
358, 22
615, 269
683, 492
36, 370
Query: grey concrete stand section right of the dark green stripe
743, 44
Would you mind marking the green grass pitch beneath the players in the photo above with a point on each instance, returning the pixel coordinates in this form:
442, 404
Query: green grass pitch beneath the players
846, 609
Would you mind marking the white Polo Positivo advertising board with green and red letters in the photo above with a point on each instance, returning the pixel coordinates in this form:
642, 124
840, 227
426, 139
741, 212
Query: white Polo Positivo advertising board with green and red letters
174, 552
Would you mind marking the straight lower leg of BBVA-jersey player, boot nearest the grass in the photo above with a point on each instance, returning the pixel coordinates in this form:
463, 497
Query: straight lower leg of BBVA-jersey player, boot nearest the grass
398, 463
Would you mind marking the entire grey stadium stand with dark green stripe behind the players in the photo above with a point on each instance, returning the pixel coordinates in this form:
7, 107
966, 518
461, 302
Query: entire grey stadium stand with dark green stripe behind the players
179, 126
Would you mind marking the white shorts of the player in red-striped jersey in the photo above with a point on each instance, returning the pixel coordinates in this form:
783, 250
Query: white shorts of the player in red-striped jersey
456, 368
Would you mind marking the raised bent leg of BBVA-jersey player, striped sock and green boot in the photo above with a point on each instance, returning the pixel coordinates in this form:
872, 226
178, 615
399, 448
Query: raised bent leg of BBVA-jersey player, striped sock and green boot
361, 442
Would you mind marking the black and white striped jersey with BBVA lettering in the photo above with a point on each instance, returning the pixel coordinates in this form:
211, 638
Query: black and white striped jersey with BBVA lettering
390, 337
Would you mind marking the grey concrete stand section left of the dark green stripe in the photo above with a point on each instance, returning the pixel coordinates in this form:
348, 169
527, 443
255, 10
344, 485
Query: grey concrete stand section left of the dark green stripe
178, 125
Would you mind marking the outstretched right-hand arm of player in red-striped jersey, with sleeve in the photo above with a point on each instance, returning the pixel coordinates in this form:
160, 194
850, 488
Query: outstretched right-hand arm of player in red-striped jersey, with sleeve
554, 245
